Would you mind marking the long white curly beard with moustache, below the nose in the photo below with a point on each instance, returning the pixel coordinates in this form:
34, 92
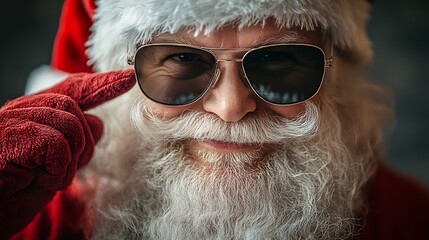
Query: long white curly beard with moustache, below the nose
308, 187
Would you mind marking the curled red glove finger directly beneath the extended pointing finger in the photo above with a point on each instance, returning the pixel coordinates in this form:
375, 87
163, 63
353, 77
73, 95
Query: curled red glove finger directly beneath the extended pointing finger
62, 113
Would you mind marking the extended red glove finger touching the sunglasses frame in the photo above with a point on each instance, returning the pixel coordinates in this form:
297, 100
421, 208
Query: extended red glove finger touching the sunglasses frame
92, 89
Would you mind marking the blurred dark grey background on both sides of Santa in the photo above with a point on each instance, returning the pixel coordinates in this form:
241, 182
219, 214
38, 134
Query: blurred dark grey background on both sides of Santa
400, 34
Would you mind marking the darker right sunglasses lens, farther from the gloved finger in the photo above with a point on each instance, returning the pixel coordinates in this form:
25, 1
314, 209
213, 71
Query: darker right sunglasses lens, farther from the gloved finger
285, 74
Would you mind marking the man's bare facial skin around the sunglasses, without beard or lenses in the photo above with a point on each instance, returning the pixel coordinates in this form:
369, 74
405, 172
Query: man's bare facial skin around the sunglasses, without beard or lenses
231, 99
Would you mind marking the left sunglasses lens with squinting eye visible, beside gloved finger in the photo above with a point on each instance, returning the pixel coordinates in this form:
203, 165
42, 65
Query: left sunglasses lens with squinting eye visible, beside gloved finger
174, 75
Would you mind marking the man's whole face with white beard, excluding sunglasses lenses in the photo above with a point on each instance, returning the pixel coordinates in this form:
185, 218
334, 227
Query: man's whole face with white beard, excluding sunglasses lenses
230, 165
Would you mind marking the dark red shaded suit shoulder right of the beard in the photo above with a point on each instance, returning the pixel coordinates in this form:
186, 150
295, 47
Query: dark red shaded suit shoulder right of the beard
398, 208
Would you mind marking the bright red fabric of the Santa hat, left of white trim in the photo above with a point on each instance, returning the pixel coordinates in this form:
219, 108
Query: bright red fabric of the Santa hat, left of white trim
73, 33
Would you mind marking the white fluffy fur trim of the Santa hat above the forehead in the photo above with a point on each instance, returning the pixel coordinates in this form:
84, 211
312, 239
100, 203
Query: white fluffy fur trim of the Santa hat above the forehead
121, 24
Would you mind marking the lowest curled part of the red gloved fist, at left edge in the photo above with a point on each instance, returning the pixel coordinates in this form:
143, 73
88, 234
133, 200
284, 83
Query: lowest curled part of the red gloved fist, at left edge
32, 148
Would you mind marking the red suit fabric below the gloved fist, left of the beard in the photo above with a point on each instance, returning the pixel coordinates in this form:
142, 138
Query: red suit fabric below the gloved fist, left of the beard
63, 218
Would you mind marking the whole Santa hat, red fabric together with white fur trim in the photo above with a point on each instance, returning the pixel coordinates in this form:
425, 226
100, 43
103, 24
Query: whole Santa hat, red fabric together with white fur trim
103, 35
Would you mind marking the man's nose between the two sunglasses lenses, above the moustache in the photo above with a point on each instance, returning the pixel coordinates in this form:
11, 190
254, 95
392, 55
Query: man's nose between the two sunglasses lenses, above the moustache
230, 97
